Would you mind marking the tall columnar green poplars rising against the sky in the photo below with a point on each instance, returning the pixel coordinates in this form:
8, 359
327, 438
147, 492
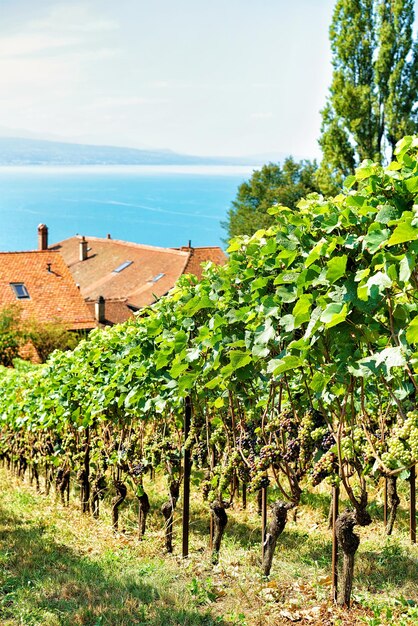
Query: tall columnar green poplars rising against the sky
372, 100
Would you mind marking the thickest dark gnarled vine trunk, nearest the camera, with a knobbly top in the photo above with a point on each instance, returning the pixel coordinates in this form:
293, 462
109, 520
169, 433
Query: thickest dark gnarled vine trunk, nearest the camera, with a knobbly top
349, 543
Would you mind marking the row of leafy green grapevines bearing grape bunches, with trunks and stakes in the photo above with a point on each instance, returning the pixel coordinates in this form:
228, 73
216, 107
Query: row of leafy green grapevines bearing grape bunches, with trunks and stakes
294, 365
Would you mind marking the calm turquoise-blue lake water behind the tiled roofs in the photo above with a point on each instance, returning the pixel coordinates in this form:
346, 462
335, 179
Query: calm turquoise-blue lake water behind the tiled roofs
156, 205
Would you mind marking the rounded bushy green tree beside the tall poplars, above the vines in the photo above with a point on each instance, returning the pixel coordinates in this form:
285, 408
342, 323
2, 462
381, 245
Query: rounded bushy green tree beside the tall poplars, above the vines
273, 184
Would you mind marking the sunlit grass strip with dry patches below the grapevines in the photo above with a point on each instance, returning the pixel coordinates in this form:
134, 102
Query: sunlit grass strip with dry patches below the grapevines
60, 568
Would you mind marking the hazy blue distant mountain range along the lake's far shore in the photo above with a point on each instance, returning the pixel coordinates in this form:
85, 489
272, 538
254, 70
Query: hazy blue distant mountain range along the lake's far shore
26, 151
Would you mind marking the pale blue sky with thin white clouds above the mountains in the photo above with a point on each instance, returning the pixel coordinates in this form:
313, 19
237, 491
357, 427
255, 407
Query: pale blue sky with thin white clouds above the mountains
217, 77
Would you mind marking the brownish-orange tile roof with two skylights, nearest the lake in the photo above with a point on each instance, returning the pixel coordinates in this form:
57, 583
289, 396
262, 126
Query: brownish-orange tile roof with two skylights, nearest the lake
151, 272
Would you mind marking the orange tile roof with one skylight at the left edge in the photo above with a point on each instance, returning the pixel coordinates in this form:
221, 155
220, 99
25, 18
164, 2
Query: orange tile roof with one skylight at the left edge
53, 295
